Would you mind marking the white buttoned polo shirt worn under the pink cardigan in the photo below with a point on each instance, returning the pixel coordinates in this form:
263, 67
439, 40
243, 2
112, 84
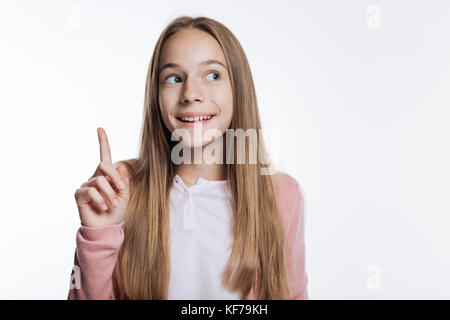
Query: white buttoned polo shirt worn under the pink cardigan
201, 221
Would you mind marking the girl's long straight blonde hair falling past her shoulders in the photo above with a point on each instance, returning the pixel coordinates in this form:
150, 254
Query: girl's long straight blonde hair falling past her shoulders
258, 255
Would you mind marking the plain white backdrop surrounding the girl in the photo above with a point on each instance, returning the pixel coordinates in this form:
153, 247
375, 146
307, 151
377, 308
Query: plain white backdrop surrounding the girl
358, 91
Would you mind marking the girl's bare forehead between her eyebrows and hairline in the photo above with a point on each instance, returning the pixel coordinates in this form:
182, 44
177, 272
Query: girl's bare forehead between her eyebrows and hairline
190, 47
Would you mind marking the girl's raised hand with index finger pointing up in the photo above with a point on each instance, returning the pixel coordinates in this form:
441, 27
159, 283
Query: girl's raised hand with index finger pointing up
102, 200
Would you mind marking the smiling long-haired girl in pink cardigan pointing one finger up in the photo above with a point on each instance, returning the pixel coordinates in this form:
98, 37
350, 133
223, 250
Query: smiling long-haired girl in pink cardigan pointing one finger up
157, 228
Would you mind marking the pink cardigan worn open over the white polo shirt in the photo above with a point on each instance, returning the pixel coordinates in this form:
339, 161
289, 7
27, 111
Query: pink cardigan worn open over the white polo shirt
97, 250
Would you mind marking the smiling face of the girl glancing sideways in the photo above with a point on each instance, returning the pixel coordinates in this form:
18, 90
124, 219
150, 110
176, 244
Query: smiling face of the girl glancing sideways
194, 84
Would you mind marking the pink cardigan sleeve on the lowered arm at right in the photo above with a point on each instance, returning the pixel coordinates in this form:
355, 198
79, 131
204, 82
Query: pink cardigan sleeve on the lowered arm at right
292, 208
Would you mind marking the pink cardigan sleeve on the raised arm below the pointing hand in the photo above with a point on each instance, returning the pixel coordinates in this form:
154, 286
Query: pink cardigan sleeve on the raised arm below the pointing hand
95, 258
